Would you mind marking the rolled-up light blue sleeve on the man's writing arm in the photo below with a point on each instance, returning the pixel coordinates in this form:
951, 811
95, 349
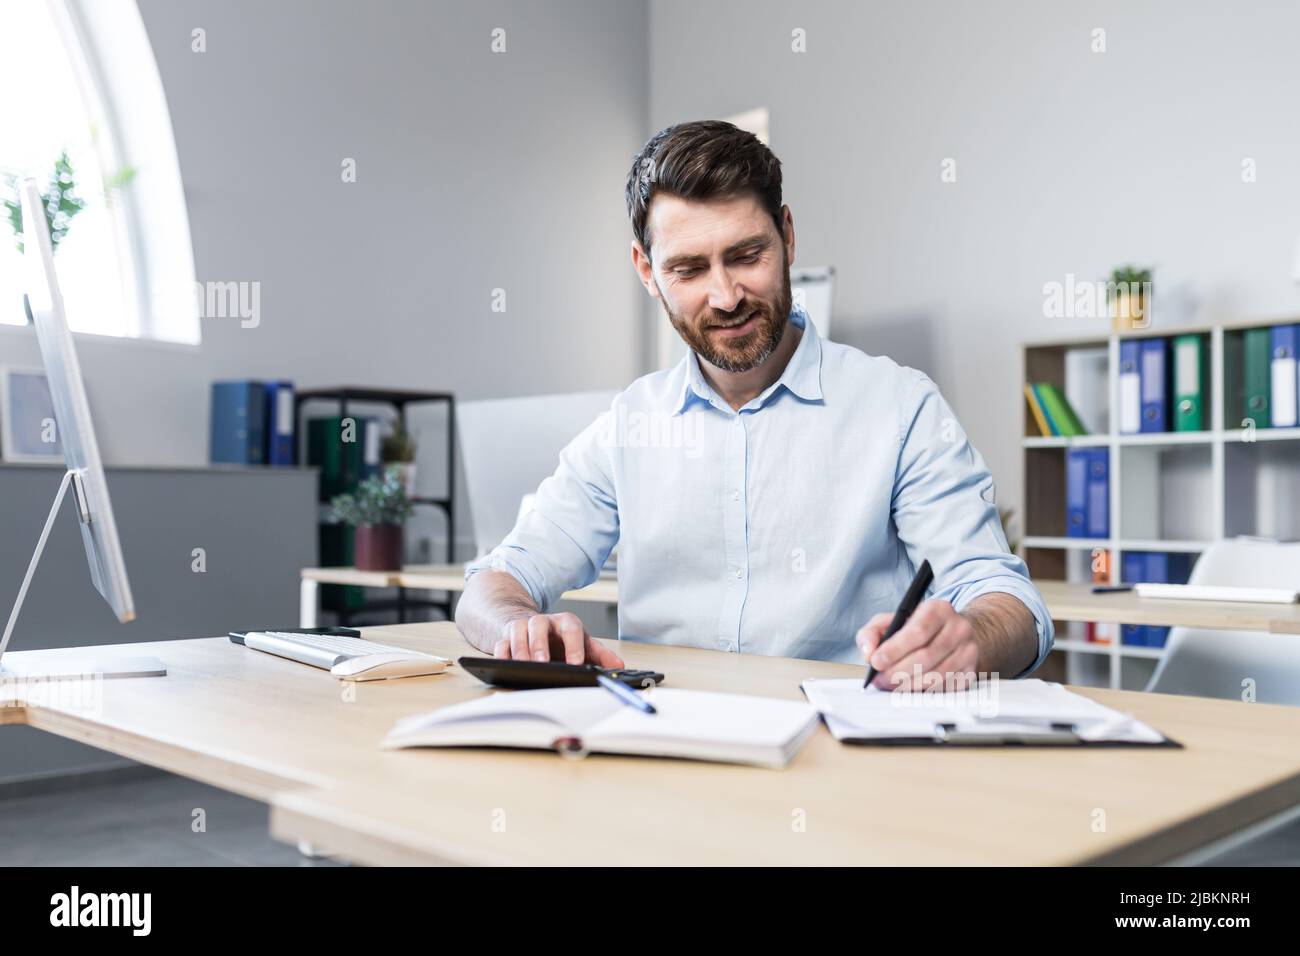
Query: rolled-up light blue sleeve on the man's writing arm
946, 512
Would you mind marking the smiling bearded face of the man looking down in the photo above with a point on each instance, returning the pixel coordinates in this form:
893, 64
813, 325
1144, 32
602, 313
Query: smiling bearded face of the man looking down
723, 274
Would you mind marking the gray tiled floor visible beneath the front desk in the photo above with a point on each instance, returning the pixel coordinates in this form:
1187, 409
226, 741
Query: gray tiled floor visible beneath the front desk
149, 821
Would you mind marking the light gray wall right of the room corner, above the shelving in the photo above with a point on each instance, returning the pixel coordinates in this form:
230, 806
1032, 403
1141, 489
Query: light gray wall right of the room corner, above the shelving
1068, 162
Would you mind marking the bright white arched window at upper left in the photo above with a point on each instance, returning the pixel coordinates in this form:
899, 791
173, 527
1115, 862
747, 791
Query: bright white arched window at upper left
81, 81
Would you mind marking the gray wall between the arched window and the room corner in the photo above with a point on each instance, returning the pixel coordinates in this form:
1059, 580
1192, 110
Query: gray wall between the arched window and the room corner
475, 172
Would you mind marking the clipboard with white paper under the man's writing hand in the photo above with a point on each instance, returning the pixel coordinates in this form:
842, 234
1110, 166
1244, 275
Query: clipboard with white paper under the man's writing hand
1002, 712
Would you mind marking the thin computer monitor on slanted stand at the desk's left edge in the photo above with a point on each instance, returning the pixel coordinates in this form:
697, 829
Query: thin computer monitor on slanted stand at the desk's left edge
77, 436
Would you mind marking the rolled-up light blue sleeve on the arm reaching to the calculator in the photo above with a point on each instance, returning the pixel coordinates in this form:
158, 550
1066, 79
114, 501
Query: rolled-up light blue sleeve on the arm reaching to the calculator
566, 539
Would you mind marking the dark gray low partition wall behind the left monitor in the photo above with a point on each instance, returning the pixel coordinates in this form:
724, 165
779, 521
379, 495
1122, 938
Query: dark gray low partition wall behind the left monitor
252, 577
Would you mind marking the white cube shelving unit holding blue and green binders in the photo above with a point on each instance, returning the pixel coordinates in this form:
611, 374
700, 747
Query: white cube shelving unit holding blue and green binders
1171, 492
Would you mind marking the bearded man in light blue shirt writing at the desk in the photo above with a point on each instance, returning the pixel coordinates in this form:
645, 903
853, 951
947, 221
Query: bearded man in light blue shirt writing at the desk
781, 490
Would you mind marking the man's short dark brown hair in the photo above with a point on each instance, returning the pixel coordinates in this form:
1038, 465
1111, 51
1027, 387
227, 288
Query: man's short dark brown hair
707, 159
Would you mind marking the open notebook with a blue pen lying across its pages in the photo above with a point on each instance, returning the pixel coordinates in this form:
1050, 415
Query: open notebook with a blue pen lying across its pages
725, 728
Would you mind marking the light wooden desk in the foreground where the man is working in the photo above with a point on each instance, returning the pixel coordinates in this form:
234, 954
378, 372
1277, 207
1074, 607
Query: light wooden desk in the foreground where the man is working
293, 737
